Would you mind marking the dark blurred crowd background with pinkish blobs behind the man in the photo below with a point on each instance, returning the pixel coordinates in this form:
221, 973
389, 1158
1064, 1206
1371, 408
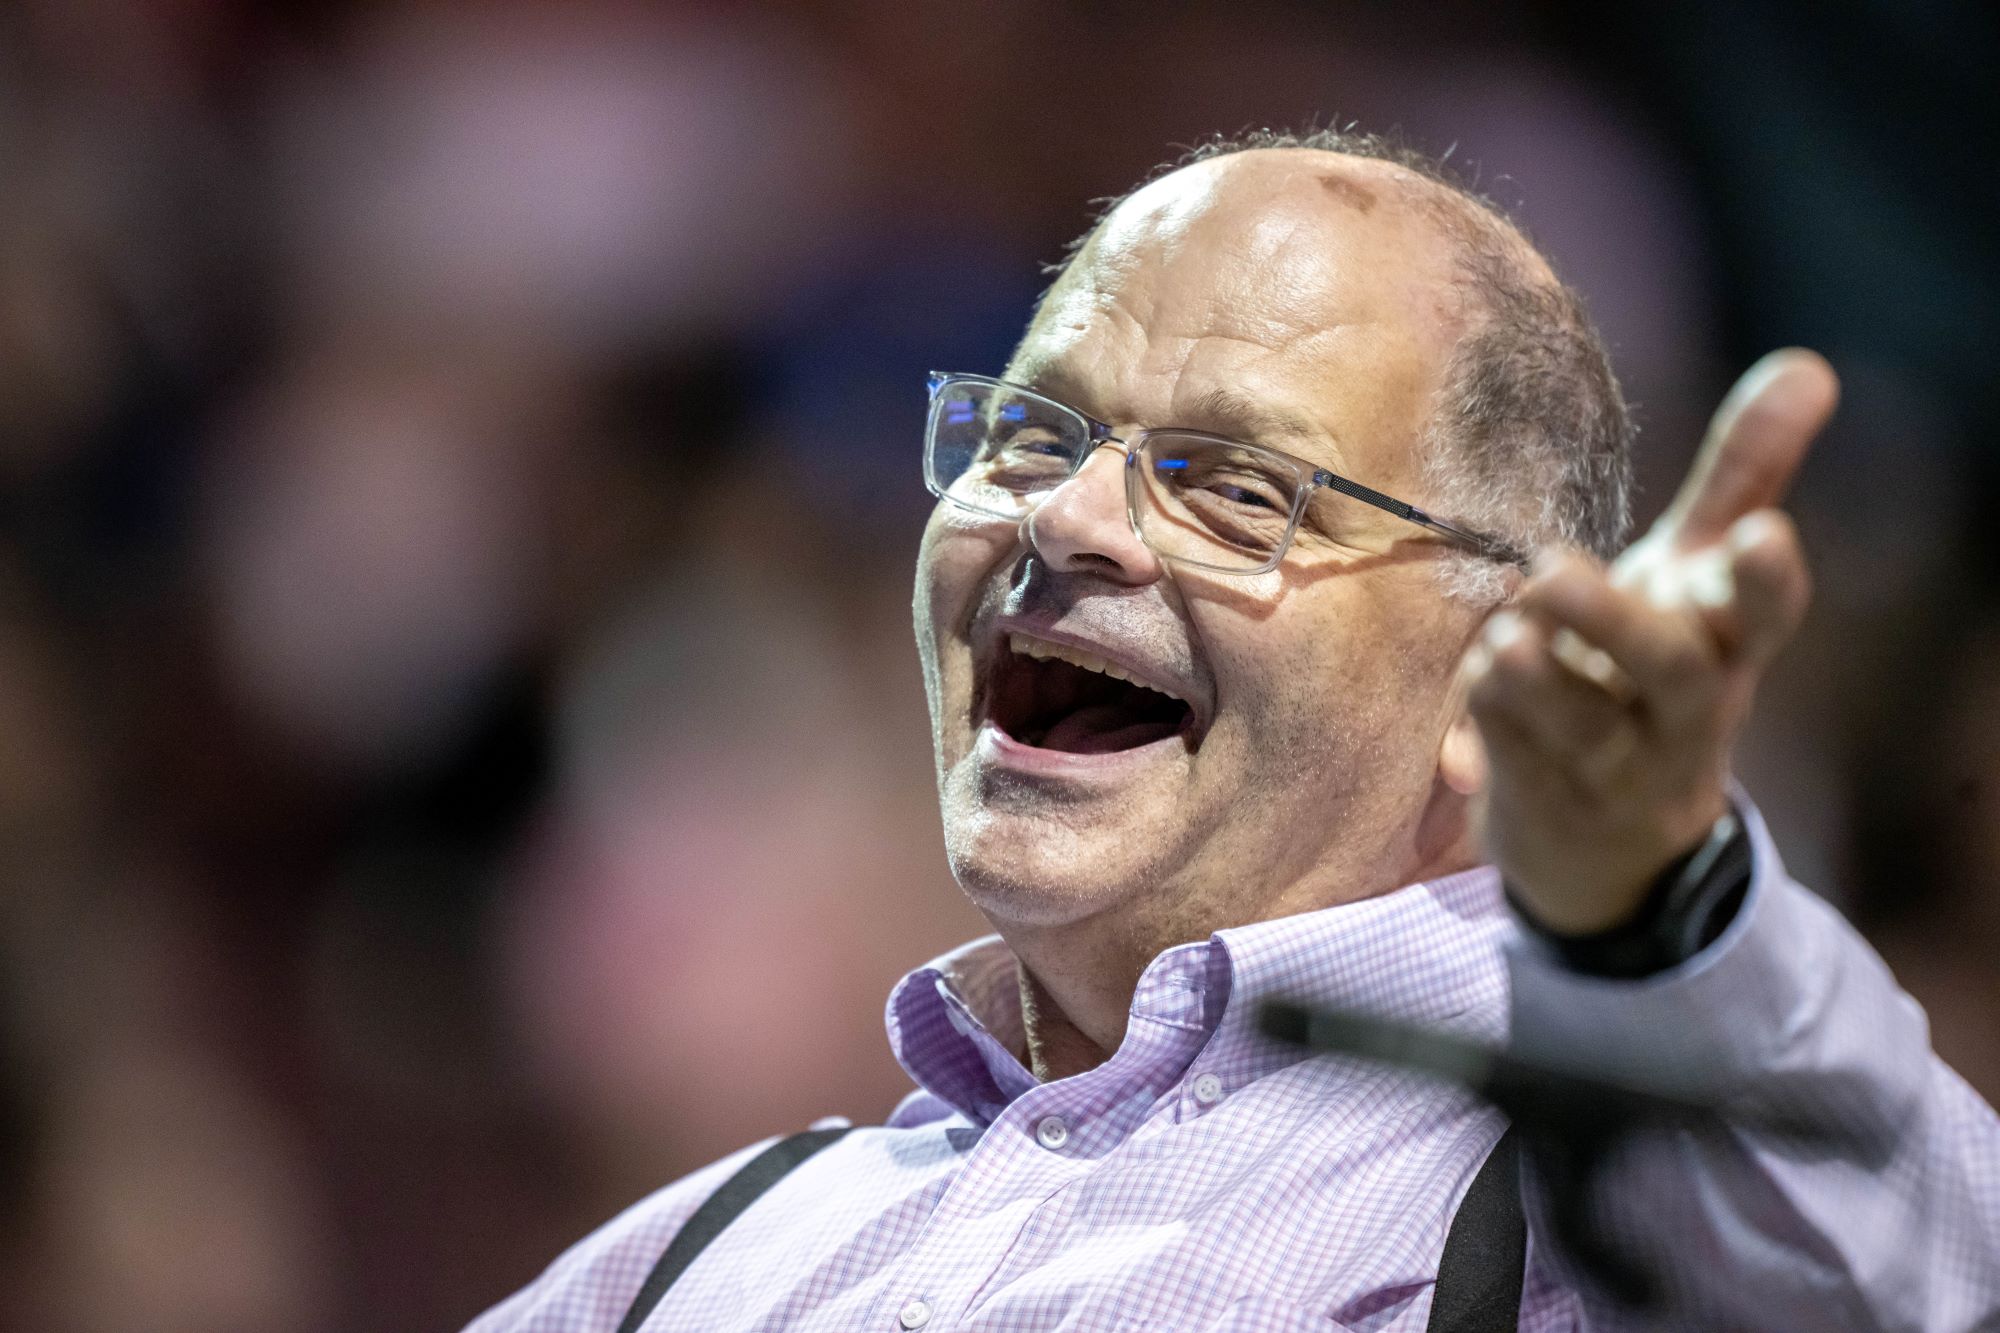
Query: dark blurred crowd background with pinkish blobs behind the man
463, 760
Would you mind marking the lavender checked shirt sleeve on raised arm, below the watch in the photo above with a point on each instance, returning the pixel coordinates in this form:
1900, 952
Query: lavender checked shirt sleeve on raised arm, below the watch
1791, 1012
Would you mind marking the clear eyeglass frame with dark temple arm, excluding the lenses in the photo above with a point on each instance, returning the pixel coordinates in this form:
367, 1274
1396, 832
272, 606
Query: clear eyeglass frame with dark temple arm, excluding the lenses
1093, 433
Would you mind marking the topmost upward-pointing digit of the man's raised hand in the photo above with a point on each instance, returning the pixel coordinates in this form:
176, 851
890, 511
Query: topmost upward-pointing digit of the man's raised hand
1755, 445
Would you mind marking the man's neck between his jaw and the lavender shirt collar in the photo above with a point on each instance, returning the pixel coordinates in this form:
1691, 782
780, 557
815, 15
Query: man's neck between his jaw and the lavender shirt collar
1077, 980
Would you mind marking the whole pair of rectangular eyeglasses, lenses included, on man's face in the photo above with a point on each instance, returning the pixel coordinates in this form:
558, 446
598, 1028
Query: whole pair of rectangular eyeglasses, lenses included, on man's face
1197, 499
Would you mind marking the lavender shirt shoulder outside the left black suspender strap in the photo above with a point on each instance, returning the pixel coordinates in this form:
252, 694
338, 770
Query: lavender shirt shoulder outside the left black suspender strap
591, 1286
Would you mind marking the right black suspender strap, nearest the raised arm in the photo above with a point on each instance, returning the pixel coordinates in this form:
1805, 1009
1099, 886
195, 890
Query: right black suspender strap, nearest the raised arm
1485, 1252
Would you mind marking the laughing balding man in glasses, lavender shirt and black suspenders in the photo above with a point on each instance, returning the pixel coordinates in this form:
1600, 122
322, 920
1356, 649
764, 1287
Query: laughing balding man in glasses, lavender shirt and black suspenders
1225, 710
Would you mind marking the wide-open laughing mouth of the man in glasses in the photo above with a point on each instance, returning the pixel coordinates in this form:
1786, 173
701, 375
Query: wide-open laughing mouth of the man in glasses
1065, 700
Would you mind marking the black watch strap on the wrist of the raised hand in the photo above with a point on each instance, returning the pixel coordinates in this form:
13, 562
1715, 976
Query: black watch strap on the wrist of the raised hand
1685, 912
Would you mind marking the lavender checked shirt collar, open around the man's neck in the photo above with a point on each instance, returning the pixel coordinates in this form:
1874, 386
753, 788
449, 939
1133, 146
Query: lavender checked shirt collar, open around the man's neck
1425, 954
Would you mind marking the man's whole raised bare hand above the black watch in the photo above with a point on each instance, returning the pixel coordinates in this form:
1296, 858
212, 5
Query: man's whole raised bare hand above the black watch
1609, 700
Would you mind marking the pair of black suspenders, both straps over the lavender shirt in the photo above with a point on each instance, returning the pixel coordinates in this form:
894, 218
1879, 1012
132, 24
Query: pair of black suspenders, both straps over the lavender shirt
1479, 1278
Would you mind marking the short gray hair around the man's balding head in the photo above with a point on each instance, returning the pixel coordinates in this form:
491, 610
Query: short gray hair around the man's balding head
1529, 437
